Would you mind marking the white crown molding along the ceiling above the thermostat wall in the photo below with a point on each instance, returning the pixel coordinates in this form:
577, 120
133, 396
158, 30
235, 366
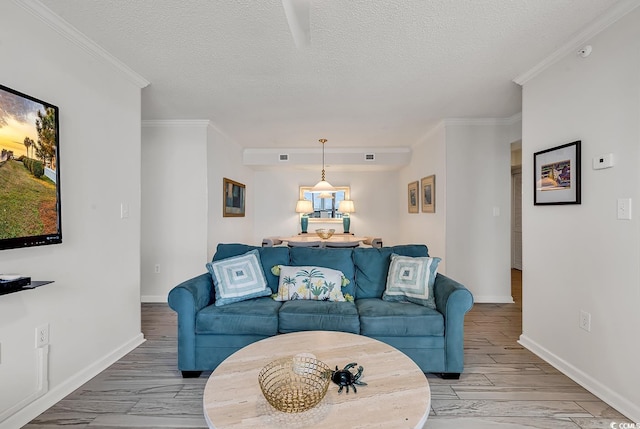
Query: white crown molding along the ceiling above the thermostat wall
611, 16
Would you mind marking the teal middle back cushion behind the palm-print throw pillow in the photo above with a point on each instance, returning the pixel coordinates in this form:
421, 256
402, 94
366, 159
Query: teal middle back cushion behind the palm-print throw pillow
337, 259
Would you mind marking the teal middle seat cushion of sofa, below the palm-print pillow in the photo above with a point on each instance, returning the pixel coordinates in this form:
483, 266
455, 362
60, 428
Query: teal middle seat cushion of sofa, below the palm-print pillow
318, 316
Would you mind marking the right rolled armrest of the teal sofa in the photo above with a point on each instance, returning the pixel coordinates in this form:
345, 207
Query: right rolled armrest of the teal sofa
453, 300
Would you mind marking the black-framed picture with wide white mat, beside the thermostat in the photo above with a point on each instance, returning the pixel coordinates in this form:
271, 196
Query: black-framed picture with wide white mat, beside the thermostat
556, 175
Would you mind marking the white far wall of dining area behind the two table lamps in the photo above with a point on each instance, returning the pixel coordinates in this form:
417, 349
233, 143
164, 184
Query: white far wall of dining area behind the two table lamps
276, 193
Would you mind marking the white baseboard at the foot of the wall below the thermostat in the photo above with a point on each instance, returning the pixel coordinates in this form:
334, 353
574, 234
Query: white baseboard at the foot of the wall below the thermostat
630, 410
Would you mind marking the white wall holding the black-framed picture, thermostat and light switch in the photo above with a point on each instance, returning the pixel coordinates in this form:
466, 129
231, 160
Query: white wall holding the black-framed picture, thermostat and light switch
580, 257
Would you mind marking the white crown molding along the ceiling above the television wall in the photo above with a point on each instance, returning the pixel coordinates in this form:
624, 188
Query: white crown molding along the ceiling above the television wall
65, 29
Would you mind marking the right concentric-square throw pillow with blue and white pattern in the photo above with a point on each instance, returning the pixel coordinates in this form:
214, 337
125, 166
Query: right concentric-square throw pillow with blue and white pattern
411, 279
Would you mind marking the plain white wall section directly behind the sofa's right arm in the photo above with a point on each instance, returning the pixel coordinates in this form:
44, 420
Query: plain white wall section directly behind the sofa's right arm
479, 207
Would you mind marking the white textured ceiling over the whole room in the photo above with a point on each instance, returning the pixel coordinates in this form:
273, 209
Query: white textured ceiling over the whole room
377, 73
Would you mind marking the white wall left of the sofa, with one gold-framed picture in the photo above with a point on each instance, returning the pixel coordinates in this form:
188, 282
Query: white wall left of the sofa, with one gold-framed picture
183, 164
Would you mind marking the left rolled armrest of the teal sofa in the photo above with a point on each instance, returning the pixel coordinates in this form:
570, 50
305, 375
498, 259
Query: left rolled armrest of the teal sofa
187, 299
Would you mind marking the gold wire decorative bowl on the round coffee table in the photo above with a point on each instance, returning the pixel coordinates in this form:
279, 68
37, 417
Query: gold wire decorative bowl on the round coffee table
294, 384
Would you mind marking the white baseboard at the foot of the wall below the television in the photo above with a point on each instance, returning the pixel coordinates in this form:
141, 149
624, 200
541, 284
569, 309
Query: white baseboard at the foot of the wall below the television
53, 396
